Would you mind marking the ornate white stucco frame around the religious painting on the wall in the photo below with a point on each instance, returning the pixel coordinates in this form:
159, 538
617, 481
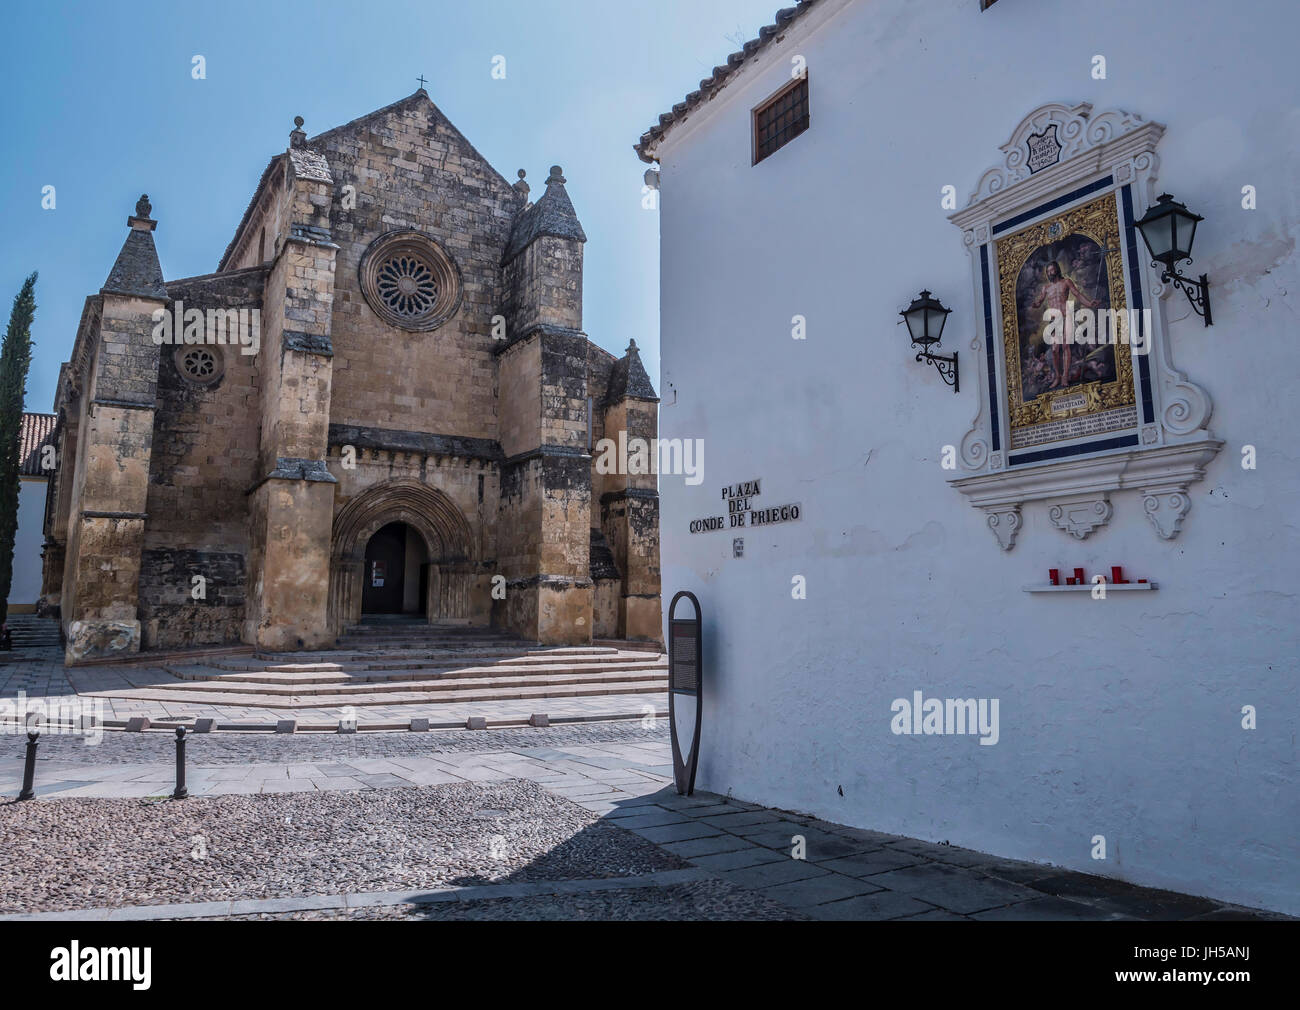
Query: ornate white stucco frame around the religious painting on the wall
1110, 153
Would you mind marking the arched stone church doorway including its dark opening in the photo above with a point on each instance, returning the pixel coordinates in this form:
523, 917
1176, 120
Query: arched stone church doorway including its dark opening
430, 532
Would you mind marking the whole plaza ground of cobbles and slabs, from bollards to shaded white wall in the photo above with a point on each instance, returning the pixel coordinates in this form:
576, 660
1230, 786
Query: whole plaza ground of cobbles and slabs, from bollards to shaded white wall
370, 790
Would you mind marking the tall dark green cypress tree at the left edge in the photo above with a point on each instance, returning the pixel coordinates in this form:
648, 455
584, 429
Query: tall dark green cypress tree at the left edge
15, 362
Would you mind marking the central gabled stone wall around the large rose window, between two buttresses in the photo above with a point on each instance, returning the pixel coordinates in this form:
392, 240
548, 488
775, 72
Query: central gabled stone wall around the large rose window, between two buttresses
413, 170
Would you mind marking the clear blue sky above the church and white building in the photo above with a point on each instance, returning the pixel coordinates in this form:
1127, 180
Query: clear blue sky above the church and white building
101, 105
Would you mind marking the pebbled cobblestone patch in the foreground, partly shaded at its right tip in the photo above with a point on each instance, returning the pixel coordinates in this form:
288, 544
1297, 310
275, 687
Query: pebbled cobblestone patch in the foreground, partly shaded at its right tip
77, 853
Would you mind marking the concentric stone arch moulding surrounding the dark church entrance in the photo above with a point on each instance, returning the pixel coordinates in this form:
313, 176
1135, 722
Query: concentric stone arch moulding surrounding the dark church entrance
448, 545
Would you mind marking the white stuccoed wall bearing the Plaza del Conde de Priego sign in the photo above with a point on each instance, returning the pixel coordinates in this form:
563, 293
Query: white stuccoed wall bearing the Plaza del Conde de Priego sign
1119, 718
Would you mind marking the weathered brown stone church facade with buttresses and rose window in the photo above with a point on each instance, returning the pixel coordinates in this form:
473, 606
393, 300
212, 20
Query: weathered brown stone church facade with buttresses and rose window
405, 423
